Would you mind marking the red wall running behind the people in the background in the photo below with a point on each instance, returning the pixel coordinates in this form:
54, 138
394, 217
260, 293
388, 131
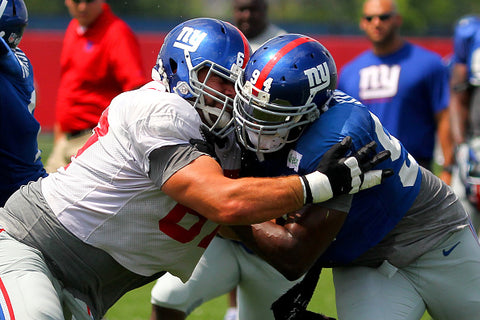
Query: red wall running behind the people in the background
43, 48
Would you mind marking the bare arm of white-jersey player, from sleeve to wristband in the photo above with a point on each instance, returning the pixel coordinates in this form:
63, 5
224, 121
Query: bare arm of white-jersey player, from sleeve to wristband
202, 187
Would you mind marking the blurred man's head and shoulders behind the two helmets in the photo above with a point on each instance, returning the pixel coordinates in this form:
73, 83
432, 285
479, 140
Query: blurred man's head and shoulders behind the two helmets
251, 17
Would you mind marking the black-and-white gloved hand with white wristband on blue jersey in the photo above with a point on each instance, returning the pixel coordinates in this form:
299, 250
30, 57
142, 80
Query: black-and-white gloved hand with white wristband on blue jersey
337, 174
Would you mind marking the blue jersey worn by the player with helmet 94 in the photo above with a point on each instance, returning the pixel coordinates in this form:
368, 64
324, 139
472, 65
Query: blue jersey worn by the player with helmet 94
374, 212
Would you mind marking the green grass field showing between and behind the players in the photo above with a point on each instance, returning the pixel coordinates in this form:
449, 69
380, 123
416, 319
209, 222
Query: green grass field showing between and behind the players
135, 305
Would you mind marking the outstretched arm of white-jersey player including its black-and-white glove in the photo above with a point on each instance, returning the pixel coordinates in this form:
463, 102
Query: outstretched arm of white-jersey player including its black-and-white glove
201, 186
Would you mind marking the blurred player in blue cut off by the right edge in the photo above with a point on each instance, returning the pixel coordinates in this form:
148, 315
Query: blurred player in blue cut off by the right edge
465, 113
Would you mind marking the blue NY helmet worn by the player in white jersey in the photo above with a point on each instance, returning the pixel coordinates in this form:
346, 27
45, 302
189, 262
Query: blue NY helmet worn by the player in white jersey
196, 44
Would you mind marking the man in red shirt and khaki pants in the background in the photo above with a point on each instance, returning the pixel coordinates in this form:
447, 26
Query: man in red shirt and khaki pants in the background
100, 59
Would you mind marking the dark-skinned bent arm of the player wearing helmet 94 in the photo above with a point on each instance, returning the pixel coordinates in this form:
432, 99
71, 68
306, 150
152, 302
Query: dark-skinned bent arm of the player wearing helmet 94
293, 248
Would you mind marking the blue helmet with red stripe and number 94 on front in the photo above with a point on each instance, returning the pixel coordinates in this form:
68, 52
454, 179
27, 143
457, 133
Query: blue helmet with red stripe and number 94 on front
286, 84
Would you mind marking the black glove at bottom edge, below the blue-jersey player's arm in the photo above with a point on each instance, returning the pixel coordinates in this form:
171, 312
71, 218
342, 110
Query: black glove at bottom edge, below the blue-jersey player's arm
292, 305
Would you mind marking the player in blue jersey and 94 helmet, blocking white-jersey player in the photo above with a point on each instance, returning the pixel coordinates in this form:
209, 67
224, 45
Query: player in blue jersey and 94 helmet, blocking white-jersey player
401, 248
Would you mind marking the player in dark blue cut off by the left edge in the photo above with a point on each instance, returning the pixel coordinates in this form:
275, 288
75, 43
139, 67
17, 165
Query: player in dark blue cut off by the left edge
20, 160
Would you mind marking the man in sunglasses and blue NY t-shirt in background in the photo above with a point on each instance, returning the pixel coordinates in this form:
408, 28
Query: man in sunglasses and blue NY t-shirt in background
403, 84
